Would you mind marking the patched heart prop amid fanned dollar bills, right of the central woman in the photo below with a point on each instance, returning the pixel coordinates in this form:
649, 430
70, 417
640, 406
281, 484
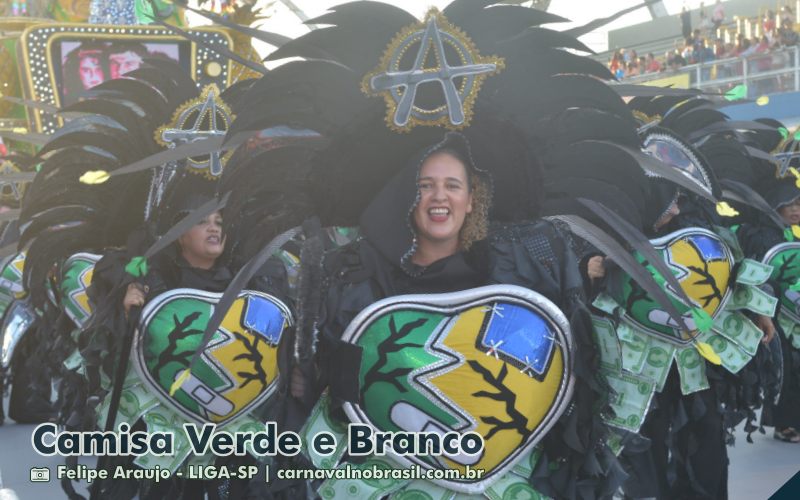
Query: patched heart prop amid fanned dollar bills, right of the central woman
703, 265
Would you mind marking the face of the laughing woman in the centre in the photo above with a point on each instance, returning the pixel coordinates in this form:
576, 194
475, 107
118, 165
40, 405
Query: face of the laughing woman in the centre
445, 199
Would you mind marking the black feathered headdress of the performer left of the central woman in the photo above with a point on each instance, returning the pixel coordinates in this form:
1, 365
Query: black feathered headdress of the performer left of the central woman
76, 201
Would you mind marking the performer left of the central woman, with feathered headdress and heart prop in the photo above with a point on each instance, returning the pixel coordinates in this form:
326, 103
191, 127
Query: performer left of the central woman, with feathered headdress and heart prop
80, 202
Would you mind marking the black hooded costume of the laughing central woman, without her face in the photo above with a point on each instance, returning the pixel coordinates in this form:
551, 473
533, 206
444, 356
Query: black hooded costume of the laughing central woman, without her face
534, 255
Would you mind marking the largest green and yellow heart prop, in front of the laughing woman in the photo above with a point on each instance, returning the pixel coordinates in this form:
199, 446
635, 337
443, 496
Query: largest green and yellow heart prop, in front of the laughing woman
494, 360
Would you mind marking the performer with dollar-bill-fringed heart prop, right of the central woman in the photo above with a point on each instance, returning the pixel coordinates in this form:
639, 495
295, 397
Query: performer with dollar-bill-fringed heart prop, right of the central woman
686, 411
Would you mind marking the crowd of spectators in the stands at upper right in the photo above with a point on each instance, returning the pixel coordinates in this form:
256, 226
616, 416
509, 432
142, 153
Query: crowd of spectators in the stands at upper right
701, 45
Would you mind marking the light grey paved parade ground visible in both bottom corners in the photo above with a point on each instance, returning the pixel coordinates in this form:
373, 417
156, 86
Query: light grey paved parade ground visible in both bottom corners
757, 470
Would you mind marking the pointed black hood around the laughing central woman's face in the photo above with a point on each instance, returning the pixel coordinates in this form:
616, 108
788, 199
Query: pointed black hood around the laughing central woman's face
386, 222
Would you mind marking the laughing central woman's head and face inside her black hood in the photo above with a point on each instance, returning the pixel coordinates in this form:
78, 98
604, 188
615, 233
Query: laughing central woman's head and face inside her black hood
443, 217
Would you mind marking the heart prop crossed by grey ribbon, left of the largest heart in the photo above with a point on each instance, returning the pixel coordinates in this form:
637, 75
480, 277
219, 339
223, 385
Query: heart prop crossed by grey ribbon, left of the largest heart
237, 370
